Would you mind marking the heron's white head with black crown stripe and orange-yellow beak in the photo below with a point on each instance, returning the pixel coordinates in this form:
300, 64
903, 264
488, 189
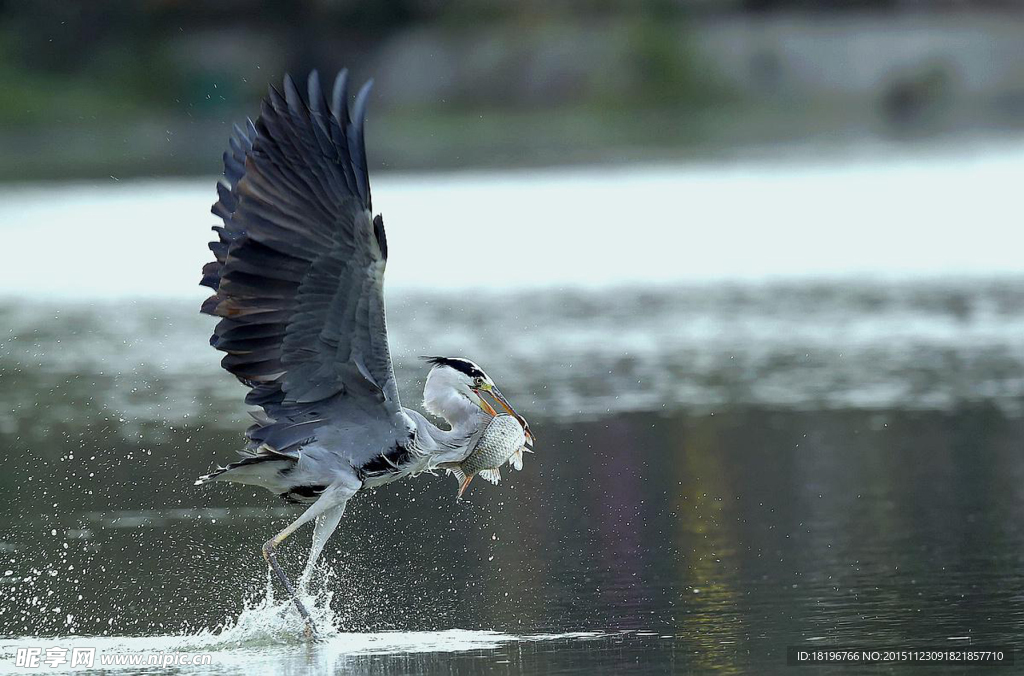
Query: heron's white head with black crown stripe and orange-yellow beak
454, 375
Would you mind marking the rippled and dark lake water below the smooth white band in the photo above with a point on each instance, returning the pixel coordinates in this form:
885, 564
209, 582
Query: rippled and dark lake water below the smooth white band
724, 472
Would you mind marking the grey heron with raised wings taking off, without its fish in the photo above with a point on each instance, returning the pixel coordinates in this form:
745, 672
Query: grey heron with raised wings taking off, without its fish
298, 286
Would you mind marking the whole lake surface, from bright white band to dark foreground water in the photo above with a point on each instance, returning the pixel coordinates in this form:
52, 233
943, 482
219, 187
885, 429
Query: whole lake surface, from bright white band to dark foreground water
732, 460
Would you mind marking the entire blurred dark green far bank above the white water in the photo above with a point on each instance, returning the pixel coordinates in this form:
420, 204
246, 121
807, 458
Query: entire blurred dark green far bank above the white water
535, 91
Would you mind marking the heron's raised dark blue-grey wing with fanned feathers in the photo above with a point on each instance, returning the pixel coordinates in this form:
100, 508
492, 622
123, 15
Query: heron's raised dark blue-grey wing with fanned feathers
300, 269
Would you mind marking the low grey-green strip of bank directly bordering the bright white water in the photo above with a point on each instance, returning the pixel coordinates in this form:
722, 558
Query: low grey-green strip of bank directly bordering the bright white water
135, 151
